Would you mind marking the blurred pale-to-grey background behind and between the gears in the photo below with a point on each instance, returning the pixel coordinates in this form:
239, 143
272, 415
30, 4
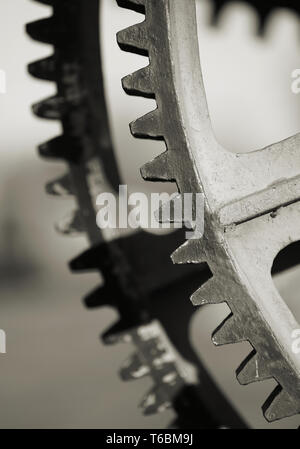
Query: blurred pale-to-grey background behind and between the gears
57, 373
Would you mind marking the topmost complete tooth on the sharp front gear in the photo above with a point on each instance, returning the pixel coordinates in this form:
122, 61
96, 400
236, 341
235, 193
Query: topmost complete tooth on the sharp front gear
134, 39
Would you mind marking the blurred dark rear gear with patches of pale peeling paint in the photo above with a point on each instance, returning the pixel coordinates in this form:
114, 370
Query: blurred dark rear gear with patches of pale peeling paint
139, 289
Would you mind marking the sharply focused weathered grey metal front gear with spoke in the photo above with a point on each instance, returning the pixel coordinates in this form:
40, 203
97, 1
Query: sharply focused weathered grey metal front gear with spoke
252, 200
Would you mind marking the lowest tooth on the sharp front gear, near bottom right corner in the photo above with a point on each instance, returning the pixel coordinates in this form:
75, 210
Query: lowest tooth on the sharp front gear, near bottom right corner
280, 404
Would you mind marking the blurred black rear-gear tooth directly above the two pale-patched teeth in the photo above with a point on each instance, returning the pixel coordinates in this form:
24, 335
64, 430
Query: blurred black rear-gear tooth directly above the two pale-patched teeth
61, 147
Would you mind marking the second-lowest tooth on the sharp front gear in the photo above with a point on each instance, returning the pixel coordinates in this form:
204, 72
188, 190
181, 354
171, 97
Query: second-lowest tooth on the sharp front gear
252, 370
